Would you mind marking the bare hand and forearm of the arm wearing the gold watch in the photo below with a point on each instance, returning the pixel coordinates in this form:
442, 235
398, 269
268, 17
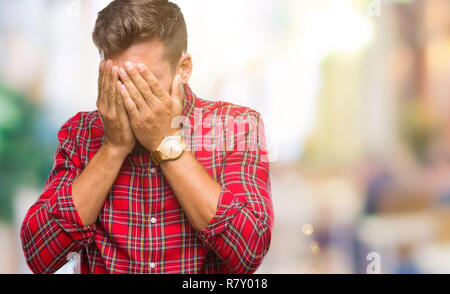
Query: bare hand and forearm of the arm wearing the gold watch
152, 111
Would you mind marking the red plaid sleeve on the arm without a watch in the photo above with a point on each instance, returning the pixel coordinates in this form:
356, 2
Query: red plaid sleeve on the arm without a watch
52, 227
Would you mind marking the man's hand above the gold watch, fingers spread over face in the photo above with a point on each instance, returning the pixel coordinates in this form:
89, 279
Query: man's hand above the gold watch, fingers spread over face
151, 109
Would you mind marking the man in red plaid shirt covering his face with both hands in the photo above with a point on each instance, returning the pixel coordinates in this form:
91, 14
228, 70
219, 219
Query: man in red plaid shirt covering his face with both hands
156, 180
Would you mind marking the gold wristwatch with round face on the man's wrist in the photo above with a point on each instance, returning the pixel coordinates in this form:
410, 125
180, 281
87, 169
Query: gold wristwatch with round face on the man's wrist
171, 148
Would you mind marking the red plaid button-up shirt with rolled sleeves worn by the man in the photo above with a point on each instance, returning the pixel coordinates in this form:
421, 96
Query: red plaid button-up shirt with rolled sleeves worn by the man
142, 227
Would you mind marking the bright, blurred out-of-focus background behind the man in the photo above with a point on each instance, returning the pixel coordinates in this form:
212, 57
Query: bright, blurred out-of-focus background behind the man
354, 96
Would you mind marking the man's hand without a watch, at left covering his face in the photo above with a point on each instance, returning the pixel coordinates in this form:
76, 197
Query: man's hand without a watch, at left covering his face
117, 128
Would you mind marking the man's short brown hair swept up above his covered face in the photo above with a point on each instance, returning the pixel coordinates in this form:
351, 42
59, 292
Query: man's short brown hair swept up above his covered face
126, 22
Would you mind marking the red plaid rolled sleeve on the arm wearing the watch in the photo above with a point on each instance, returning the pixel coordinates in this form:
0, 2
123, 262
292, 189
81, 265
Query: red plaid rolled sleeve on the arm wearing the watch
240, 232
